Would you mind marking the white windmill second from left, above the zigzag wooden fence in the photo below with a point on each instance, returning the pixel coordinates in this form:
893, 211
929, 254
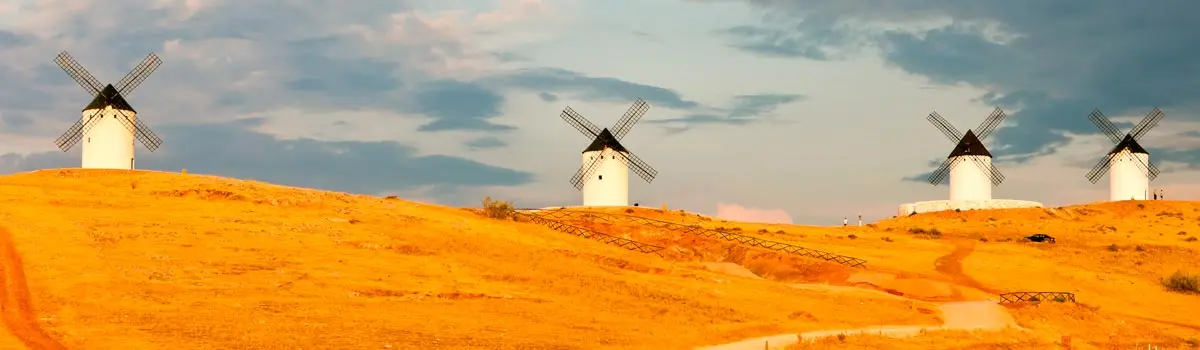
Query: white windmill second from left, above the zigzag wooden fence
604, 174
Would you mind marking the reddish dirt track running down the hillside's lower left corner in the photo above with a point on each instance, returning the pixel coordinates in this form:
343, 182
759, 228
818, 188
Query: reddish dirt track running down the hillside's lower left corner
17, 307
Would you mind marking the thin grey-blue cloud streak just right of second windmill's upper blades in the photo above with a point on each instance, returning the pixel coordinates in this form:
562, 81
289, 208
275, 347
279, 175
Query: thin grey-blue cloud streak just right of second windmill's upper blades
743, 110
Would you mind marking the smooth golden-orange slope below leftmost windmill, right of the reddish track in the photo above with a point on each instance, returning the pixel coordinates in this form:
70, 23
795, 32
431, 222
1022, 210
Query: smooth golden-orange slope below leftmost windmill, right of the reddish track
158, 261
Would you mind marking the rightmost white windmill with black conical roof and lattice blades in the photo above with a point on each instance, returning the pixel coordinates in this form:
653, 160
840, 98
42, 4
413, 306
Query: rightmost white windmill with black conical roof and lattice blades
1129, 165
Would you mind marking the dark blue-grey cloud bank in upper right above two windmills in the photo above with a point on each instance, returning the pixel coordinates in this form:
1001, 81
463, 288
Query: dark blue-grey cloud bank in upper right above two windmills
1051, 64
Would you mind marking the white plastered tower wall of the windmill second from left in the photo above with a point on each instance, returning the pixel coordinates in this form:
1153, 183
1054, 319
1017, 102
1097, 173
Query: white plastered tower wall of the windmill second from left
609, 186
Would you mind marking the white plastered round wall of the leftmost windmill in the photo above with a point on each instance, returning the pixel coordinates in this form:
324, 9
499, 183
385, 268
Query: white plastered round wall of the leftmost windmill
109, 144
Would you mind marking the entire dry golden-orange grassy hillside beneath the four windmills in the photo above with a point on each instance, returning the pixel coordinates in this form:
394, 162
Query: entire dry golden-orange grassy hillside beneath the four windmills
105, 260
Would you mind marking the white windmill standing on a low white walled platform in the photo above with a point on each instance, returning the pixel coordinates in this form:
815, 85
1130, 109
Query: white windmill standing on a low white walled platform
969, 183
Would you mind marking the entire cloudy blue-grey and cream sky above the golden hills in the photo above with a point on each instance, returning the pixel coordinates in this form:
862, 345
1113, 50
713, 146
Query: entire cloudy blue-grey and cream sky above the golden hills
775, 111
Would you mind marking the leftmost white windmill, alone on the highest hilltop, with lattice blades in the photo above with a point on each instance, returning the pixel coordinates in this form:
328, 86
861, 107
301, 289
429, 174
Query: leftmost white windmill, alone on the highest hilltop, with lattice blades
109, 125
